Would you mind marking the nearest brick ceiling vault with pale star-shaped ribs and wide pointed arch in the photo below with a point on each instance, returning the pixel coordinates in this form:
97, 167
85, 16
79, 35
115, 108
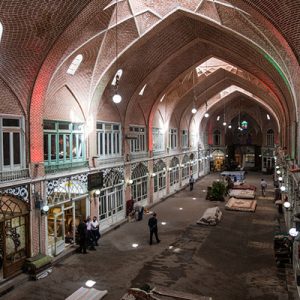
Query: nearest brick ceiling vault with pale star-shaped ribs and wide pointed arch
157, 42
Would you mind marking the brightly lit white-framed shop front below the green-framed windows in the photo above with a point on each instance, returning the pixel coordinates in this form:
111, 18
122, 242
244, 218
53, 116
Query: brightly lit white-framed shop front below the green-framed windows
68, 203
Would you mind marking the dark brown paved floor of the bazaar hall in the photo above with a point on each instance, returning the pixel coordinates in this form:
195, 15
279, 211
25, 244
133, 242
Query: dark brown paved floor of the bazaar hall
233, 260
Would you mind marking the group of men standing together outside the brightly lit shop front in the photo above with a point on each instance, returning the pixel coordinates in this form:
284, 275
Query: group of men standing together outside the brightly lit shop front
88, 234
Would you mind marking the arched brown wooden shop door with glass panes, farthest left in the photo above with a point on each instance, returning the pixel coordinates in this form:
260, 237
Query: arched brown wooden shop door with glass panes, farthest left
13, 235
